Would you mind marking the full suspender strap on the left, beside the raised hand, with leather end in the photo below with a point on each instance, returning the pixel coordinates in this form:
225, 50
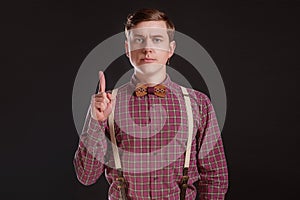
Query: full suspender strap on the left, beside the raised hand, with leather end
120, 179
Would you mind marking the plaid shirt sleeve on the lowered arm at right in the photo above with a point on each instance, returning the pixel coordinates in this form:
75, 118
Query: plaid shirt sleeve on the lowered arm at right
212, 163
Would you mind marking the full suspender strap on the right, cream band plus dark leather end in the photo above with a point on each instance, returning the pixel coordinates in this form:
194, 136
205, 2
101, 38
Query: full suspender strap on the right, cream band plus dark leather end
185, 177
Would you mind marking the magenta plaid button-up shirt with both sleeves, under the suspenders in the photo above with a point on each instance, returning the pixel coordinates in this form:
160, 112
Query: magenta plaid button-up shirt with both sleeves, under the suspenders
151, 134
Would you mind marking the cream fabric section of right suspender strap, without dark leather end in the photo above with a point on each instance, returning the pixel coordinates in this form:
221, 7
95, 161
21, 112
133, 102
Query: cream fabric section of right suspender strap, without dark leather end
190, 126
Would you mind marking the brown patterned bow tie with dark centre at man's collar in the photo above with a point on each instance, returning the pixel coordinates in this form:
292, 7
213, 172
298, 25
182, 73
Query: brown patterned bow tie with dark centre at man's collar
158, 90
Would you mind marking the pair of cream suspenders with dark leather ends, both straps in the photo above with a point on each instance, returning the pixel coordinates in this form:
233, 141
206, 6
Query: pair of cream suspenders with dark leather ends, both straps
185, 177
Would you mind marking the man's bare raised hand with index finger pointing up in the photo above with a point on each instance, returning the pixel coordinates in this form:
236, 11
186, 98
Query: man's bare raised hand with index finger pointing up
101, 103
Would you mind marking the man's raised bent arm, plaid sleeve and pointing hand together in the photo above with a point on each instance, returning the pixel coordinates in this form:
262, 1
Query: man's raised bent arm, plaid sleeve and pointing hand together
89, 157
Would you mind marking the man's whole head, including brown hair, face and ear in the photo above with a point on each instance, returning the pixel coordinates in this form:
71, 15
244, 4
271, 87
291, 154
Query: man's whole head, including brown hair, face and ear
149, 40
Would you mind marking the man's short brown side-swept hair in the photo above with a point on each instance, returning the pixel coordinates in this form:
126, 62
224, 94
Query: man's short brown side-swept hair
149, 14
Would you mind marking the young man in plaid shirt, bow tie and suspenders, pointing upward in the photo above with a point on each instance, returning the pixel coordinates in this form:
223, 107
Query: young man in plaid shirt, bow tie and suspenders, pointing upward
140, 134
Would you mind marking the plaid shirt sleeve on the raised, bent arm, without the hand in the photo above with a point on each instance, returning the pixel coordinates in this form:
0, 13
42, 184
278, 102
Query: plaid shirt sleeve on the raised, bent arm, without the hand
89, 156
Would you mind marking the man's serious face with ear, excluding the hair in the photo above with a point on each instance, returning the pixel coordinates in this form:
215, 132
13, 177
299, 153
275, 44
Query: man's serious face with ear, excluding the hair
148, 46
